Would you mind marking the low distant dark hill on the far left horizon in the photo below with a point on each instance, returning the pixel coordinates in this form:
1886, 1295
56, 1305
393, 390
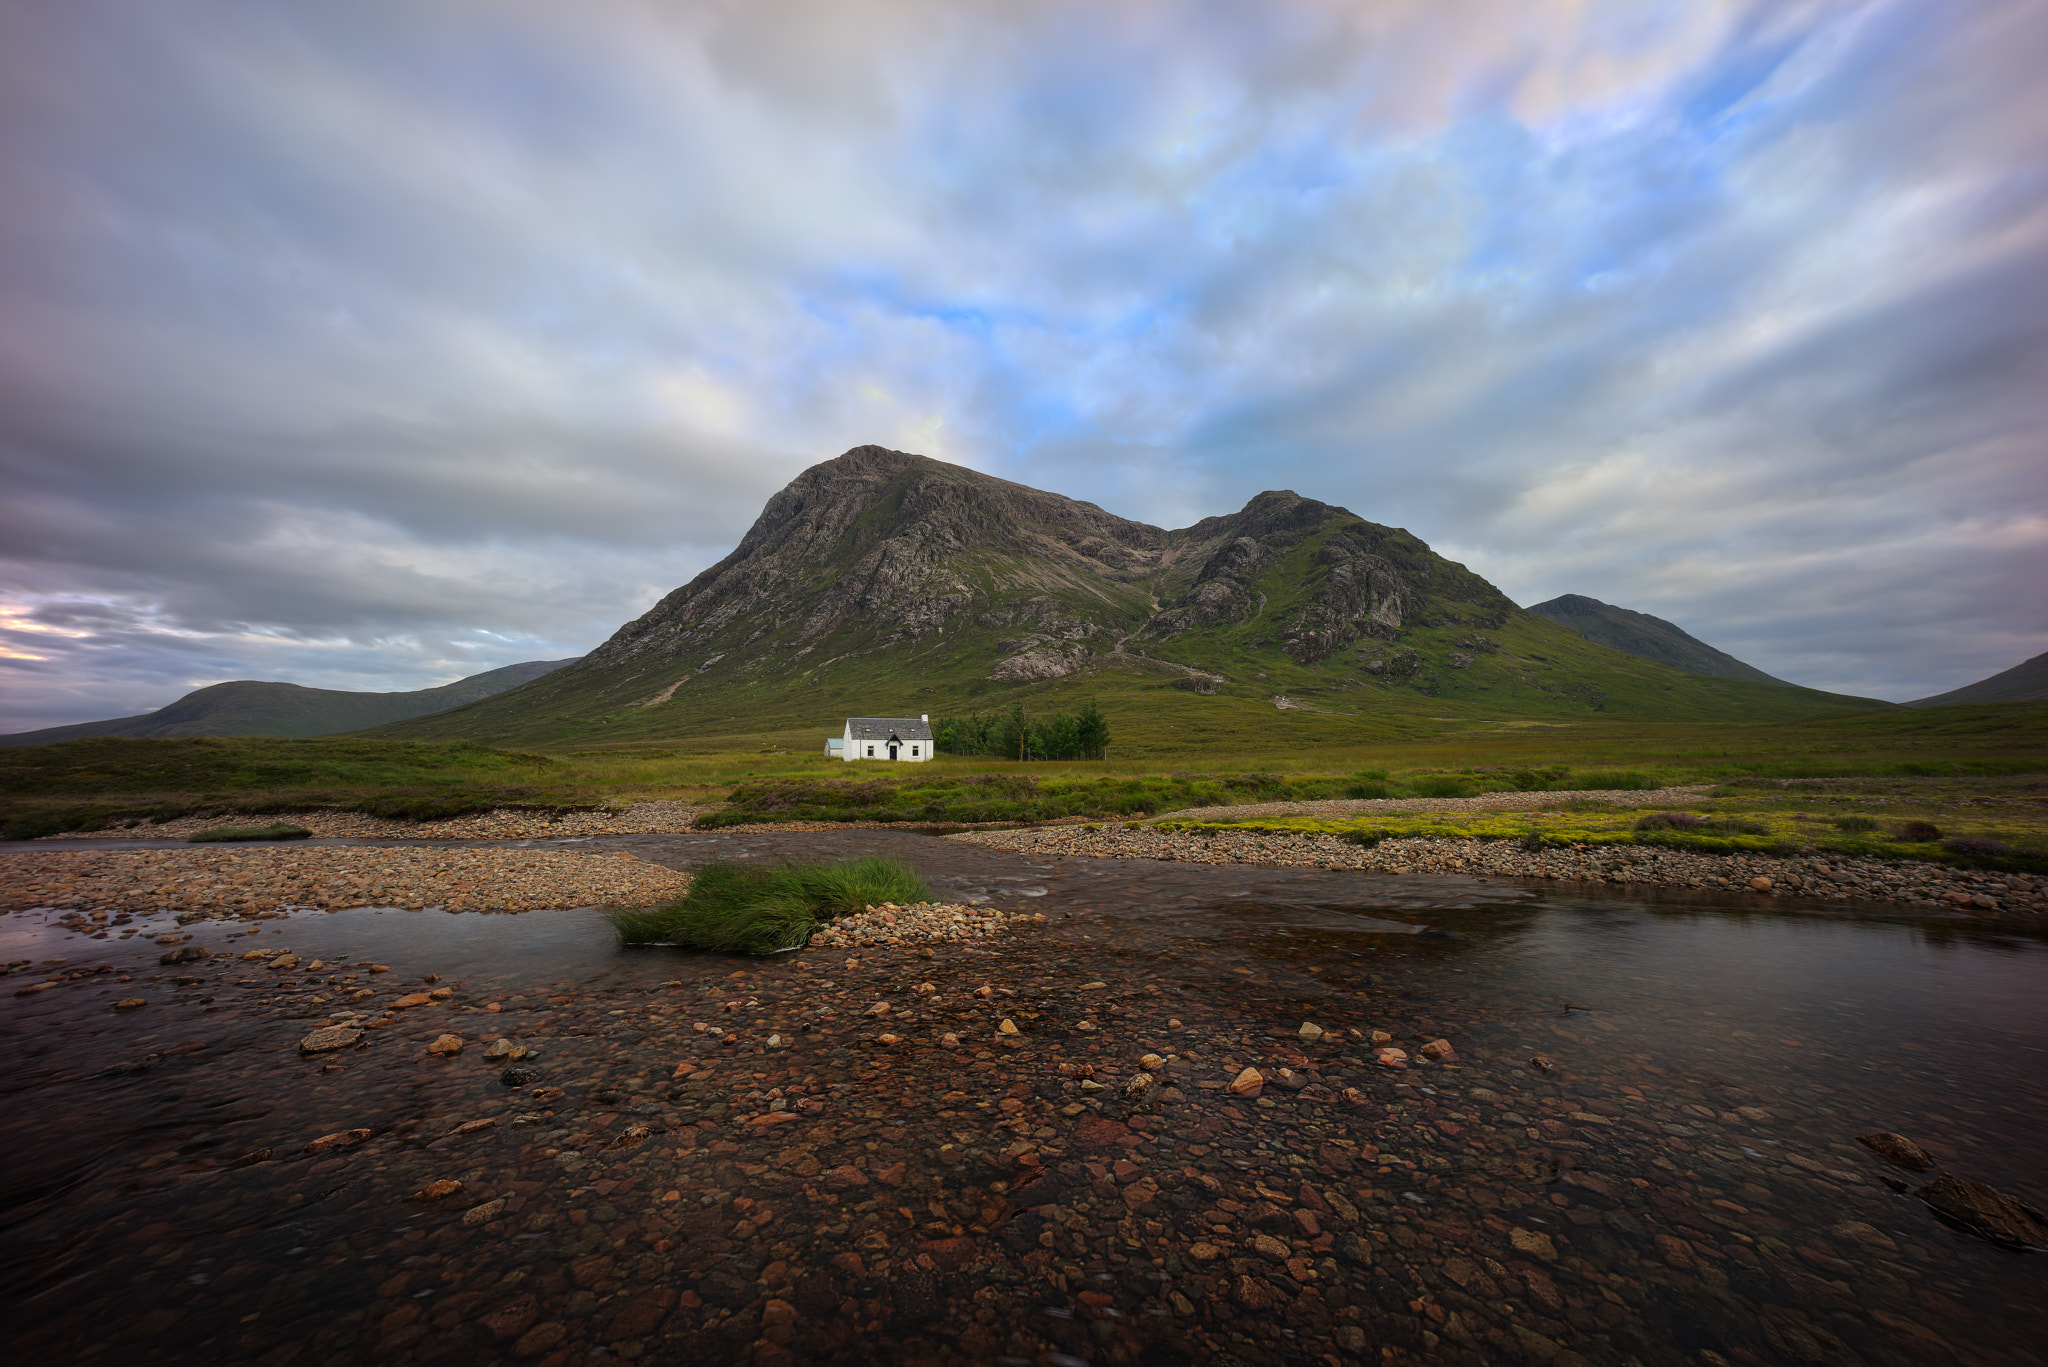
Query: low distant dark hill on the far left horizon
251, 708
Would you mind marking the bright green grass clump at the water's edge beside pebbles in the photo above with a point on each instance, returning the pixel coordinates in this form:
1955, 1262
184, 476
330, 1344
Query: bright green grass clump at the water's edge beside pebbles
763, 911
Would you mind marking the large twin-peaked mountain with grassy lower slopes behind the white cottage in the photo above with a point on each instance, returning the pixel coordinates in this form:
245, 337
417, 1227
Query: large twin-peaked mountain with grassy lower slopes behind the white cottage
894, 585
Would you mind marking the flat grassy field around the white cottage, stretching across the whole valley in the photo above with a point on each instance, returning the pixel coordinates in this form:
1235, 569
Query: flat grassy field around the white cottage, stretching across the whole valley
783, 776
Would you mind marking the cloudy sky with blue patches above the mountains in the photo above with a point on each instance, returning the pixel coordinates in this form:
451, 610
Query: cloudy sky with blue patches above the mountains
376, 343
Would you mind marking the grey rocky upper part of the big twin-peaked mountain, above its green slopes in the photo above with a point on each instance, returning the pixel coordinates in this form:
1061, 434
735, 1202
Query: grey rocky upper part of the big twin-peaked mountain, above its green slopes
884, 548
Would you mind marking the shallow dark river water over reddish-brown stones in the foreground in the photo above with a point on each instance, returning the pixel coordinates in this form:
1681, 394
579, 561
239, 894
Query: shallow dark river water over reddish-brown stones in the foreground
1678, 1182
